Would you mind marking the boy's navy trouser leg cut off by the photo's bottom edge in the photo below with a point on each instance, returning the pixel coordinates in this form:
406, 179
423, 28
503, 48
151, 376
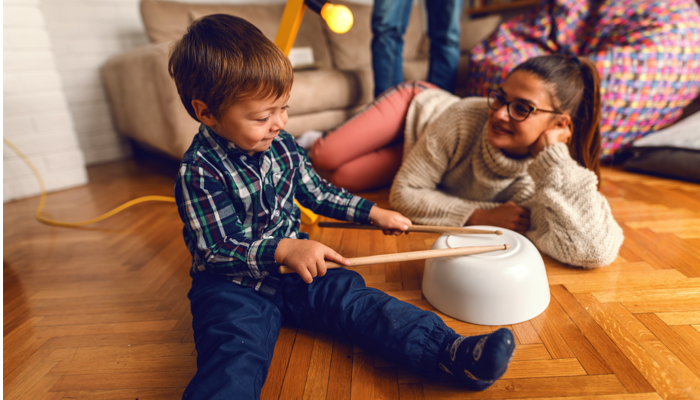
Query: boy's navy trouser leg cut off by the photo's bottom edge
235, 331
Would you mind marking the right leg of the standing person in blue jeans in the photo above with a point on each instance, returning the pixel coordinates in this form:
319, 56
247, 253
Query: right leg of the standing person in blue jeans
443, 31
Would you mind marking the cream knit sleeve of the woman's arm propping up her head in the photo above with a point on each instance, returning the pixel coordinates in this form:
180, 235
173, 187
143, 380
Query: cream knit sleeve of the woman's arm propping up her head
570, 219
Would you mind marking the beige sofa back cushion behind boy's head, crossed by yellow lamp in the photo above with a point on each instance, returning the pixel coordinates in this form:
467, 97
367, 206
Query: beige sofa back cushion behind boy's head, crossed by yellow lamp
168, 20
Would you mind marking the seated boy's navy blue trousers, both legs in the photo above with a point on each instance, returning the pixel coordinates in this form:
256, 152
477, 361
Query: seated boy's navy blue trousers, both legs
235, 328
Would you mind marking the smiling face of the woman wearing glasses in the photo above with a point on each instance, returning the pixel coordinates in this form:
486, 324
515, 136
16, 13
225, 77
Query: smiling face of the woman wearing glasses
516, 137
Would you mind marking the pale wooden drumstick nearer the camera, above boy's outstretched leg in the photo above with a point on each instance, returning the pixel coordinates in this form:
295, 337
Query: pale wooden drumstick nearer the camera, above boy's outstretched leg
409, 256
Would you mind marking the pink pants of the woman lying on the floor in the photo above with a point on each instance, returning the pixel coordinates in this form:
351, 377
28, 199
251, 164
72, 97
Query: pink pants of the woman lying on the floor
365, 152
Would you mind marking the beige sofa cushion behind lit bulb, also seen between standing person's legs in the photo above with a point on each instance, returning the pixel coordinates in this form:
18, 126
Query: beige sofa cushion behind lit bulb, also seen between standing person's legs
352, 50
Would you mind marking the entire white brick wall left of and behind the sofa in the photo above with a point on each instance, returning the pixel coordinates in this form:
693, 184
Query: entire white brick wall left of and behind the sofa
55, 105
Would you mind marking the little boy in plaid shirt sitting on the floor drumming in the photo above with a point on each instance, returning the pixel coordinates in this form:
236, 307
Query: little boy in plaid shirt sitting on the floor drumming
235, 193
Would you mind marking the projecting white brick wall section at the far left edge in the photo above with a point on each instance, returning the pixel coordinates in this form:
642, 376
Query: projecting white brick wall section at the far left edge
36, 118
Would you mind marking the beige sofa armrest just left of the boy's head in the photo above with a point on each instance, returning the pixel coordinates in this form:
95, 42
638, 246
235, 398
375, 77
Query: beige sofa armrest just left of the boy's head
144, 100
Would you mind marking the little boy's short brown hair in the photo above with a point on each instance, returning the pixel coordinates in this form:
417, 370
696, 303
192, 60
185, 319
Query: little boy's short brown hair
223, 59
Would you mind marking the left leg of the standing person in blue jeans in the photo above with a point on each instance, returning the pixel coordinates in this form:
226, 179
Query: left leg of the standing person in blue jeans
389, 22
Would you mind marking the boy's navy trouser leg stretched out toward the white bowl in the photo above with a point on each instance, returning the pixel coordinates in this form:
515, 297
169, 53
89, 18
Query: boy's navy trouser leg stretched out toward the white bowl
339, 303
